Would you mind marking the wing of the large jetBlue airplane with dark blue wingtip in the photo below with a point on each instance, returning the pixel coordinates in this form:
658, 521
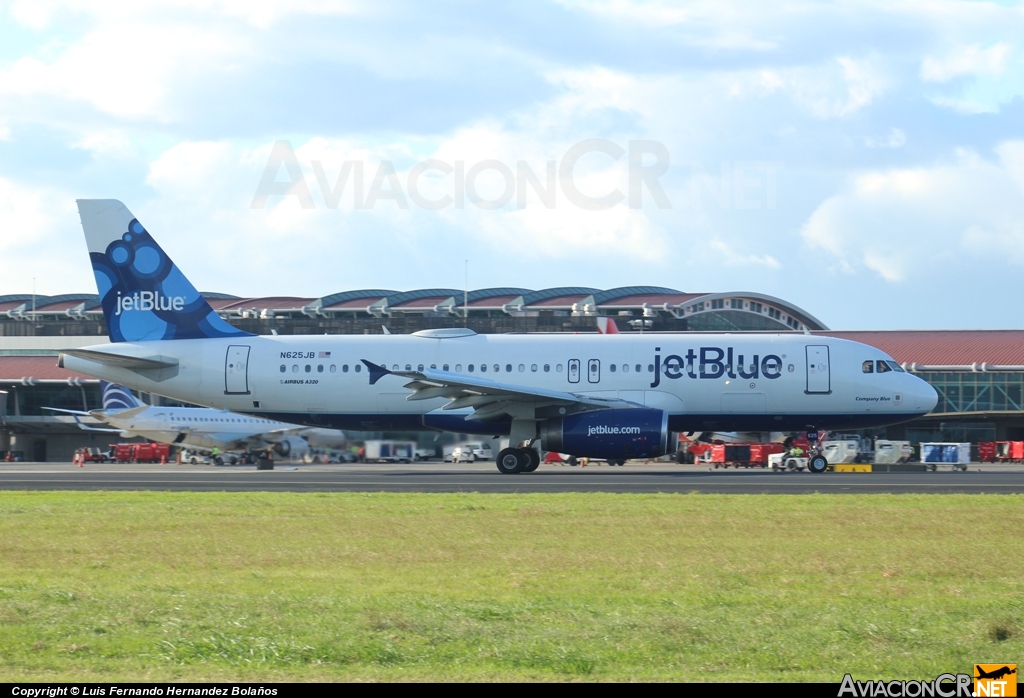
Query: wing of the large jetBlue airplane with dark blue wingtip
489, 399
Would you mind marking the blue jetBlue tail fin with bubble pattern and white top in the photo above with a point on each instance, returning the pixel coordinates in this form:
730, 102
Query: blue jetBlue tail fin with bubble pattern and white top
144, 294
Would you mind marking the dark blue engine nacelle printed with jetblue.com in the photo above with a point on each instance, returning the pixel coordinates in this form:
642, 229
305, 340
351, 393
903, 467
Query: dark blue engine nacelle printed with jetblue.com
639, 433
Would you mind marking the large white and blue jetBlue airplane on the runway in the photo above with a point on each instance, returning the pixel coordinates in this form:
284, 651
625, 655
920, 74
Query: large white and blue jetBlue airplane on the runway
606, 397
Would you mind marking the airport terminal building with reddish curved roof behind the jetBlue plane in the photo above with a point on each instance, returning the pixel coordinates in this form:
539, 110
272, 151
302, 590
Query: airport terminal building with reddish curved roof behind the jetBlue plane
979, 375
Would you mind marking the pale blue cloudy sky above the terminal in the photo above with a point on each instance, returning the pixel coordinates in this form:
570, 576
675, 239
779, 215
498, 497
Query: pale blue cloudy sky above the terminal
863, 160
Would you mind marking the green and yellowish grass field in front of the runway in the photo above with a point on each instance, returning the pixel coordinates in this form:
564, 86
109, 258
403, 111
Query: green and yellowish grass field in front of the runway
260, 587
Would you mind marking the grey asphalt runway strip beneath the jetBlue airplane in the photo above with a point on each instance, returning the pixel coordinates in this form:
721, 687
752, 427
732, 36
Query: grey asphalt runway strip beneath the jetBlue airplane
485, 478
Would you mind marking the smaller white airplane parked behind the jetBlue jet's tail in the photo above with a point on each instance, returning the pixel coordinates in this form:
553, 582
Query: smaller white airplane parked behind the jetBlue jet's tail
202, 428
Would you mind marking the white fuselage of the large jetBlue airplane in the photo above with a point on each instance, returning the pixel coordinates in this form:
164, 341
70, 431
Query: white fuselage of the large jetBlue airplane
750, 382
